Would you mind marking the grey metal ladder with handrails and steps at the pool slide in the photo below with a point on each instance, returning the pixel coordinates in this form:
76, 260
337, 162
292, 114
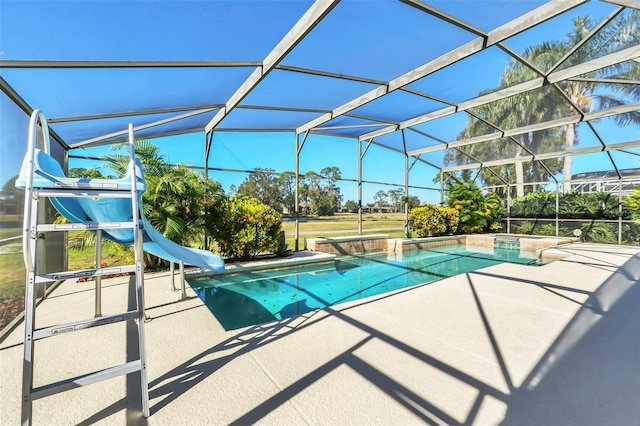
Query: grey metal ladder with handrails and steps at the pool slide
38, 186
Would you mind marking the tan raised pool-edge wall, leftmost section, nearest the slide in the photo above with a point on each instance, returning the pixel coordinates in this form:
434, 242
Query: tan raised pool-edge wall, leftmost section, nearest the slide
348, 244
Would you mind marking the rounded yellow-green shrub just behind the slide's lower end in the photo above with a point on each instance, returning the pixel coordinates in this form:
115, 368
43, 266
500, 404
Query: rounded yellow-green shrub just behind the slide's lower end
244, 227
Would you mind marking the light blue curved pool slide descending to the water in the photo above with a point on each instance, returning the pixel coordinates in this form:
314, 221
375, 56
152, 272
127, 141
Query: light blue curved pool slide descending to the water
48, 174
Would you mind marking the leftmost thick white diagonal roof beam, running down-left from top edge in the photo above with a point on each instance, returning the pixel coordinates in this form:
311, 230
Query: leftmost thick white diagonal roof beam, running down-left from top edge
305, 24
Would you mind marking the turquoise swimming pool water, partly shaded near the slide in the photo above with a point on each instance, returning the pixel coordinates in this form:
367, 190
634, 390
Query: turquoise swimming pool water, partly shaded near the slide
256, 297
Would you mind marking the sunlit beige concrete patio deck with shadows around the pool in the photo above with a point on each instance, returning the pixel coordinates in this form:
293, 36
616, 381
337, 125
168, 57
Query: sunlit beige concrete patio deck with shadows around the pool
509, 344
